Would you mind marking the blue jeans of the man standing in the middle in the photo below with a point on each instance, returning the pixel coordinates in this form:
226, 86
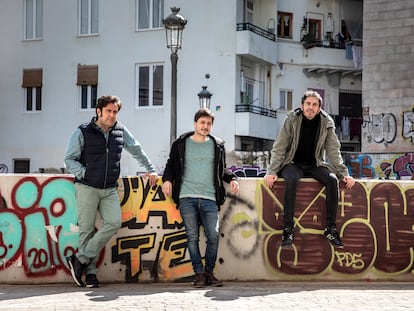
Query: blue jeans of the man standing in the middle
196, 212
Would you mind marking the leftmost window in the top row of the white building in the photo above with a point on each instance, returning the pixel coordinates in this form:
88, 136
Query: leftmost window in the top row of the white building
33, 18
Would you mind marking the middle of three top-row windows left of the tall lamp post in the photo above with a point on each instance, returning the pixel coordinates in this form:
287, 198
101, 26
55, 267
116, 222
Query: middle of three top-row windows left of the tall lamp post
88, 17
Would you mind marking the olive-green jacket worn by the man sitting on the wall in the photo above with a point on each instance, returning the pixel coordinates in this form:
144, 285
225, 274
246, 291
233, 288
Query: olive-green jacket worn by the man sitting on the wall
327, 152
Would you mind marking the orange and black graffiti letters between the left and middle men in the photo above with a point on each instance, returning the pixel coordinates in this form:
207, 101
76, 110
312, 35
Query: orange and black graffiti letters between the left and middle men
140, 203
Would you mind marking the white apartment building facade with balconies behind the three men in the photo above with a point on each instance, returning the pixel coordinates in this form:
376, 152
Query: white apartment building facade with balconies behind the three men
57, 57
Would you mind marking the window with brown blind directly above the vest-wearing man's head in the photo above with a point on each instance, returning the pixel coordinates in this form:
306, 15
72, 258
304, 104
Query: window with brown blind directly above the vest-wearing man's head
88, 85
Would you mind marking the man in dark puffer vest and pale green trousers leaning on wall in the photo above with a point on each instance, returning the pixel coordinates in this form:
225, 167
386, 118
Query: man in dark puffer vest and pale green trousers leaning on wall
93, 156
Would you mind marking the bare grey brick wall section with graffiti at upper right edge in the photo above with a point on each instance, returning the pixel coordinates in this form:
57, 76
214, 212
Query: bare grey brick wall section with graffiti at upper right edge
388, 83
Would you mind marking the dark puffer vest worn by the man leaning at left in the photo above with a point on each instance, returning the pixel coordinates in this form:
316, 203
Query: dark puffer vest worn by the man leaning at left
100, 157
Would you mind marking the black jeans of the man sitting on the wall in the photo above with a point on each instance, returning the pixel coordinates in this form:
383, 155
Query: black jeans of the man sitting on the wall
292, 174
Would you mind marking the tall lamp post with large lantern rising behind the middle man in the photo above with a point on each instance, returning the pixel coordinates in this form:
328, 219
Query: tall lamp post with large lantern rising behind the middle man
174, 25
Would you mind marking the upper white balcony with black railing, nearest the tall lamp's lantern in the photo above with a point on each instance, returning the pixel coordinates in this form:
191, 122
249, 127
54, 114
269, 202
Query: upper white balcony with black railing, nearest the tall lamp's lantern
257, 43
